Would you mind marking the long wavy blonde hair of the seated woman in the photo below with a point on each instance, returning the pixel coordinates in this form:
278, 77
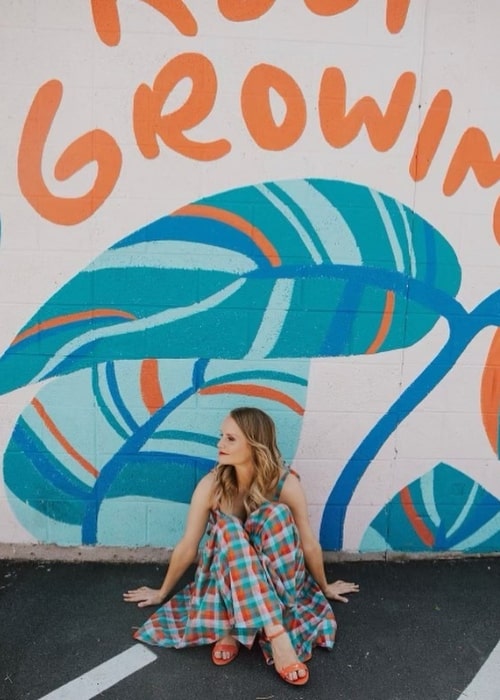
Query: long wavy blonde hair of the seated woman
260, 432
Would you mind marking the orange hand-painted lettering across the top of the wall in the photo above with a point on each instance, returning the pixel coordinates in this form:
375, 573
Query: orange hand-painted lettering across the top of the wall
152, 122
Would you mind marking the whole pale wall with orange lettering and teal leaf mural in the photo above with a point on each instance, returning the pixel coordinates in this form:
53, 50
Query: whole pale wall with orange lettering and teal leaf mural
292, 204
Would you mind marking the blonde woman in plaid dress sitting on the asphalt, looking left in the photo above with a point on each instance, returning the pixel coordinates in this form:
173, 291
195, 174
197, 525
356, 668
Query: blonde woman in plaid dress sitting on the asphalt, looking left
260, 572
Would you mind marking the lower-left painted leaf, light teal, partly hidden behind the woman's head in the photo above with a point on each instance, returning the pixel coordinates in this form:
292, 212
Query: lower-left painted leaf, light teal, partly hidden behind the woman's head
97, 455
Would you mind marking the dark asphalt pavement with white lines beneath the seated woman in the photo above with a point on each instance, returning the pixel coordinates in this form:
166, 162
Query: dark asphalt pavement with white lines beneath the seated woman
417, 630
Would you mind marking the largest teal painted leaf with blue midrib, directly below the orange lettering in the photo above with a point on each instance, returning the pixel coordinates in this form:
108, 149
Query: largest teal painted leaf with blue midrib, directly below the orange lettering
291, 269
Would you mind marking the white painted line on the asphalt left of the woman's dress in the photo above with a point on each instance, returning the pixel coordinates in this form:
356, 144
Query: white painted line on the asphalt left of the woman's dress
105, 675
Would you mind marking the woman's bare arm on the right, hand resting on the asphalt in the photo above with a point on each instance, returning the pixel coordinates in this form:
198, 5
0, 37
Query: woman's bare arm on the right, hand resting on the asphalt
294, 497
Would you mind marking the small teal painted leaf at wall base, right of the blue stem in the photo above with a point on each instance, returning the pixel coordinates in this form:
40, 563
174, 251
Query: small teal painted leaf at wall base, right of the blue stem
444, 510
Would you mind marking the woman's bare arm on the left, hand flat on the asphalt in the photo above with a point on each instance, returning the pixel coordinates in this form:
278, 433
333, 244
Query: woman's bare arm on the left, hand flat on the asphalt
185, 551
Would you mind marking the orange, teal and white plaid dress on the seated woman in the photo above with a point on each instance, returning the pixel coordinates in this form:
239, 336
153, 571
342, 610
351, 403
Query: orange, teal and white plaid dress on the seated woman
249, 575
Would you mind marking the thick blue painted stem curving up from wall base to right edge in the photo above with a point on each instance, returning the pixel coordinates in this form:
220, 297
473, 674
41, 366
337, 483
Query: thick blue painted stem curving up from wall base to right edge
462, 331
